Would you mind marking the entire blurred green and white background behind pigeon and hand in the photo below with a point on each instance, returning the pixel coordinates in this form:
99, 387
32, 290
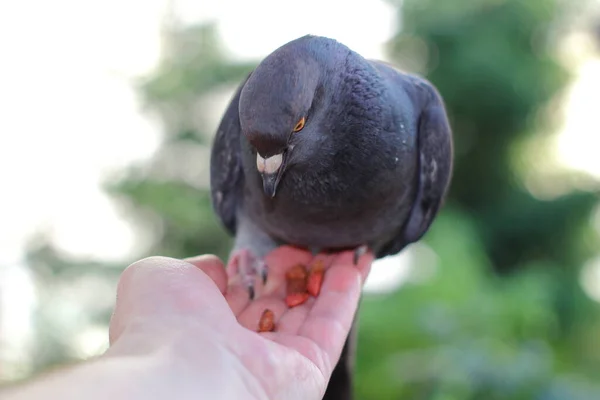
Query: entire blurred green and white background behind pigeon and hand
107, 112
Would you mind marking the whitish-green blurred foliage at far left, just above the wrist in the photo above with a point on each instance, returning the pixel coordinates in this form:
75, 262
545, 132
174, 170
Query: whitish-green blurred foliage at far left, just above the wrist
60, 314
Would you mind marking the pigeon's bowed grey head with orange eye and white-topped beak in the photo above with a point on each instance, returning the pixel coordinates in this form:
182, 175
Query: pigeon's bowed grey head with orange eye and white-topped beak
279, 107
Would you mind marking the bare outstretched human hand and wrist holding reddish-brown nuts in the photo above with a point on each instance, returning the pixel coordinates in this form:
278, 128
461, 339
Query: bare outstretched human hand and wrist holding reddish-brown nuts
183, 329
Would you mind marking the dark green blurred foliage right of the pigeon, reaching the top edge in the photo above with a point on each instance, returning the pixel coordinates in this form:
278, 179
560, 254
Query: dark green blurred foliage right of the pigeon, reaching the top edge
493, 63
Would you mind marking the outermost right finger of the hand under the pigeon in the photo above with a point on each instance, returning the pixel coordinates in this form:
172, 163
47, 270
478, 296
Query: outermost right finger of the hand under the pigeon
330, 319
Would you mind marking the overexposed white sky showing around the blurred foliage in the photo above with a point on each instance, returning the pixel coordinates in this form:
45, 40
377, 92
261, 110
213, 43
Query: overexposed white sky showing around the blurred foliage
68, 115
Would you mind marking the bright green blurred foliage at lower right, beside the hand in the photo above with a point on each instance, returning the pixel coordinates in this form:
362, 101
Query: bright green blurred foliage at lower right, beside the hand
467, 334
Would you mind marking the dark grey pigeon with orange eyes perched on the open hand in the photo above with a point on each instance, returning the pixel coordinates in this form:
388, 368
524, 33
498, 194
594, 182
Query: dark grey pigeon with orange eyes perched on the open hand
325, 150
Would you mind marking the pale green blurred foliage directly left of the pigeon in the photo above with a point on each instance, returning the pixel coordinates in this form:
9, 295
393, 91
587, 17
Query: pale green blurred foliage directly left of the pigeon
193, 68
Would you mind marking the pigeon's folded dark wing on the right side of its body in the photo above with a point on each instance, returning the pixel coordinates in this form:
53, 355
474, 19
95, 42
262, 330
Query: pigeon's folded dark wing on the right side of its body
434, 144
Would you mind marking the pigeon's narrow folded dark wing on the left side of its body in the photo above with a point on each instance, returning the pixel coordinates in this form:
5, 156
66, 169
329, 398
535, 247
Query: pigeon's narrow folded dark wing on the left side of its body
226, 172
